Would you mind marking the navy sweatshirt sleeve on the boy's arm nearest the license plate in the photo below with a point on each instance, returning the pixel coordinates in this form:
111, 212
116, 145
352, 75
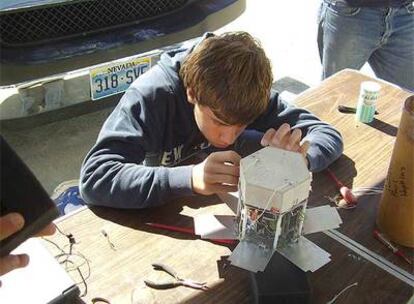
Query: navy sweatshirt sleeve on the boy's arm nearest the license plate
113, 173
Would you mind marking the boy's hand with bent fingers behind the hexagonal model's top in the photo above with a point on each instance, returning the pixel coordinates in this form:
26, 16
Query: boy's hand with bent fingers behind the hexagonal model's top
285, 138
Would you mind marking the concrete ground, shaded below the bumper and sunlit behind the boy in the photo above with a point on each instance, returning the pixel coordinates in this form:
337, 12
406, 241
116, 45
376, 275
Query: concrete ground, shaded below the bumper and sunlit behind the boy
287, 30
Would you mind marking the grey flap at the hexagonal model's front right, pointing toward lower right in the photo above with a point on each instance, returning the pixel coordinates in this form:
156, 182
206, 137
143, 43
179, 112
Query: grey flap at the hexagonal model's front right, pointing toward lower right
306, 255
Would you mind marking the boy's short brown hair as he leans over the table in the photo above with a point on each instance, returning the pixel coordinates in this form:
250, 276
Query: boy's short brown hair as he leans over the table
231, 75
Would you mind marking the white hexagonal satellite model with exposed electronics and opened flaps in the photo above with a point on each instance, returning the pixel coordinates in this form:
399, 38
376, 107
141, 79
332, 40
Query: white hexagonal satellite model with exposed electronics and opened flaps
271, 213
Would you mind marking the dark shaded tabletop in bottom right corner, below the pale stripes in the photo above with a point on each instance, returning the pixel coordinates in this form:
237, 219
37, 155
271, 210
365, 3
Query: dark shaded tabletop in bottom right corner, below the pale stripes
346, 267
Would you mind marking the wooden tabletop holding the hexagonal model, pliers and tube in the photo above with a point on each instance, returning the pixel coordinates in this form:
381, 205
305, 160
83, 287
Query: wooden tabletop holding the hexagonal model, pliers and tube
117, 274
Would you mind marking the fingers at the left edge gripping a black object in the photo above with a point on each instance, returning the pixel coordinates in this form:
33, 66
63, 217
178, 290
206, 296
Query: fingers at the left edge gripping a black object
10, 224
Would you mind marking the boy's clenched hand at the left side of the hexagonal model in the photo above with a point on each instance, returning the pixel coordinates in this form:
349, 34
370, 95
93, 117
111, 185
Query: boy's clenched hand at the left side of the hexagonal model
219, 172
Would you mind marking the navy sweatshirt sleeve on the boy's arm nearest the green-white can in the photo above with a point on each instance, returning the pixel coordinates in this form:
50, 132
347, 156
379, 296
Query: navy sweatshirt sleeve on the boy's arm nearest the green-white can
325, 141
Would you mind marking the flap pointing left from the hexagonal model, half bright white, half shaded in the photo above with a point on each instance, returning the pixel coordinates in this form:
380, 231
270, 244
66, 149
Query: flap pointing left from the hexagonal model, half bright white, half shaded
210, 226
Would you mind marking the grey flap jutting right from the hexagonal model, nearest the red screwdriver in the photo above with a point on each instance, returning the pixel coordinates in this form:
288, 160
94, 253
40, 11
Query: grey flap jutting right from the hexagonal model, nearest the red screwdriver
321, 218
